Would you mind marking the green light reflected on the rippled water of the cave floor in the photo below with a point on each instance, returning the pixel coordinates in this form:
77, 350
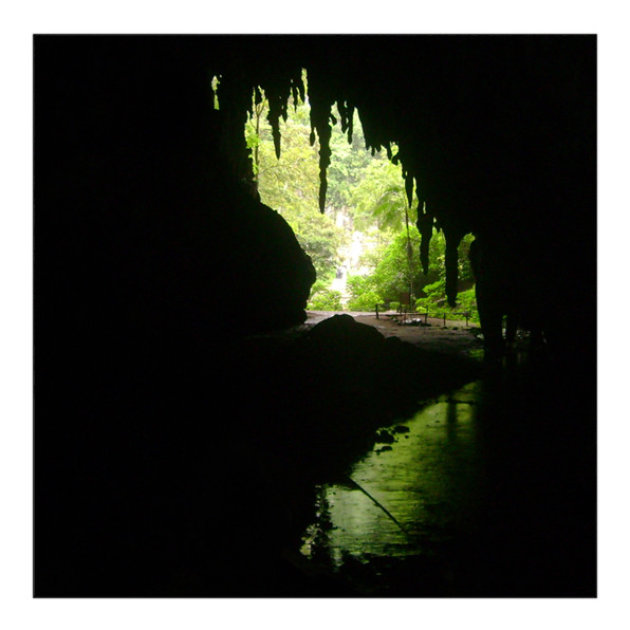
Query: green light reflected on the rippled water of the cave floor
403, 501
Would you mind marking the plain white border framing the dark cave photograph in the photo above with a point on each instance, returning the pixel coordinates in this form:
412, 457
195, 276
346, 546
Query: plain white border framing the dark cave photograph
18, 610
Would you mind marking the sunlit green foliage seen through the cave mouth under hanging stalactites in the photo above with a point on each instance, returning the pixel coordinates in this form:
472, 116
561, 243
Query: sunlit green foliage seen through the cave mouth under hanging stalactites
364, 245
